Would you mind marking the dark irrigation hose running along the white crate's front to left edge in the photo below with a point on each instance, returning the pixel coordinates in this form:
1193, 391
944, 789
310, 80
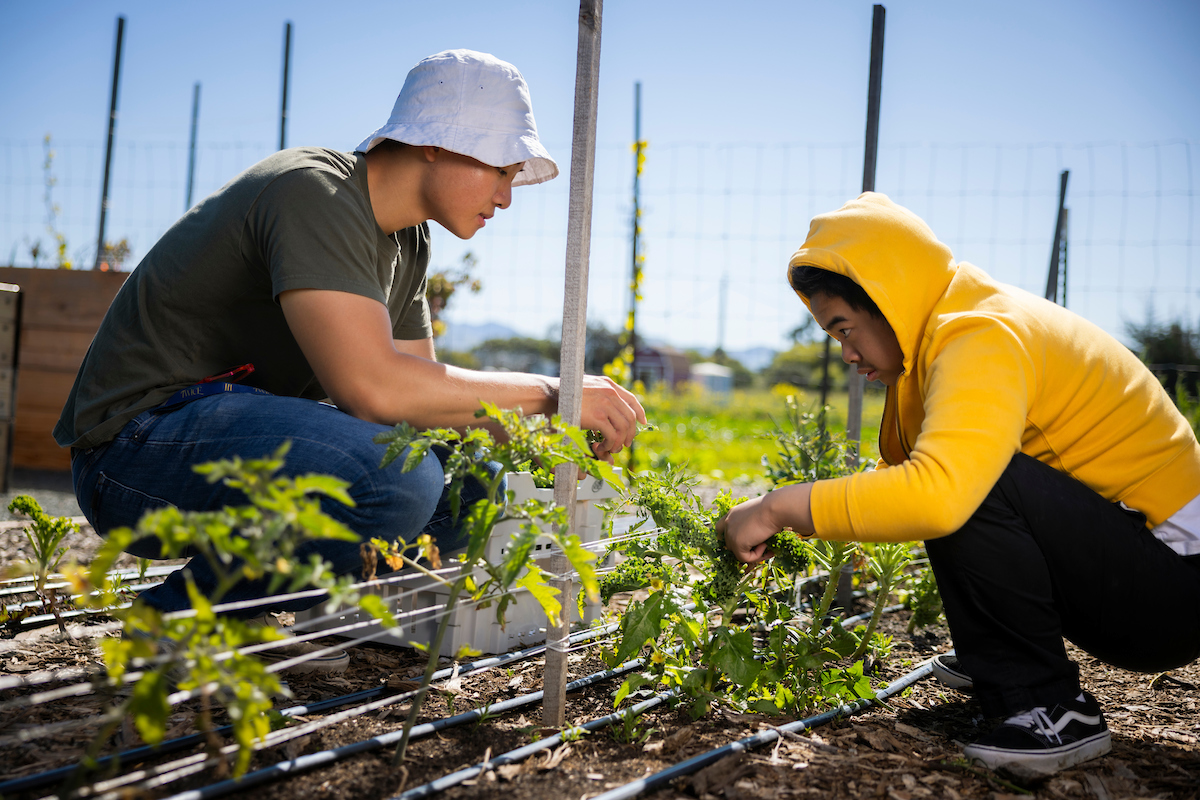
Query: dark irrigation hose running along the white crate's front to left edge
183, 743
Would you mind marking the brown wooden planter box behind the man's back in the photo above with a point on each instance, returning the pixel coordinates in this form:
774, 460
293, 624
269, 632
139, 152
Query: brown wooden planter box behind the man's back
61, 315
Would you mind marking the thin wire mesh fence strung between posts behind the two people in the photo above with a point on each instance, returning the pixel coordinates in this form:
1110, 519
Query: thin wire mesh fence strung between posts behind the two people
719, 222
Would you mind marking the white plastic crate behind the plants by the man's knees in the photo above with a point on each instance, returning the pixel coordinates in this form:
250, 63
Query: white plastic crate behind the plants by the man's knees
525, 618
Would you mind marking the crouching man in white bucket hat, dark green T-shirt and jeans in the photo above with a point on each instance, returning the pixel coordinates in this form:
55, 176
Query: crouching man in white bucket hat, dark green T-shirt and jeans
304, 280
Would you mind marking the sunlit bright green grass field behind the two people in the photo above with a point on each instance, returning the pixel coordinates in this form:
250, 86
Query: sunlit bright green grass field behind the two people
724, 438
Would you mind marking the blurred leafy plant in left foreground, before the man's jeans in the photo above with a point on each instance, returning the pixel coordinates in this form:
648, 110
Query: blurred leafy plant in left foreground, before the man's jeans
200, 652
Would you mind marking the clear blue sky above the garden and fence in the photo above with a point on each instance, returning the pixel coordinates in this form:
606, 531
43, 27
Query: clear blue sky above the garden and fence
754, 113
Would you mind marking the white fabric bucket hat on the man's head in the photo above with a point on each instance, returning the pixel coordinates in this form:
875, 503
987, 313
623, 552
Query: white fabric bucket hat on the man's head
471, 104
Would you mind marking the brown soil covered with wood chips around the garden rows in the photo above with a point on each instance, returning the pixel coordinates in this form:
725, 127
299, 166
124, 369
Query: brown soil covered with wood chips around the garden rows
911, 749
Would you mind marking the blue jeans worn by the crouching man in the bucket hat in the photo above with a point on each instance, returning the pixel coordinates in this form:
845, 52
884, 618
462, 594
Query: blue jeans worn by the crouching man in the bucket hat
149, 466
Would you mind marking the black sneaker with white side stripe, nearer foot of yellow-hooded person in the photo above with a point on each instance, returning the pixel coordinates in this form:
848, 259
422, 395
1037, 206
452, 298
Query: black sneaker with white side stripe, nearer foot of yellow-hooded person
1043, 741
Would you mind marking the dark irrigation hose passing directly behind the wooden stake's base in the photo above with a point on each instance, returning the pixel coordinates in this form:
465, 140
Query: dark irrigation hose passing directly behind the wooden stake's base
313, 761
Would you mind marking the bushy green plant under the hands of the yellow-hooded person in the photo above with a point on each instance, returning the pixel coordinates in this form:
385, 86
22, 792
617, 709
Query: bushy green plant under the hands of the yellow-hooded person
724, 634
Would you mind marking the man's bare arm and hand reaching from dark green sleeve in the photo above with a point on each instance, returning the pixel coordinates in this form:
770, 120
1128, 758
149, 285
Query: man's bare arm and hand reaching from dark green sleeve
347, 340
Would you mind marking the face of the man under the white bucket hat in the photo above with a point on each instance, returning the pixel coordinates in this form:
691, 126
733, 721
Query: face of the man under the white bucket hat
464, 194
